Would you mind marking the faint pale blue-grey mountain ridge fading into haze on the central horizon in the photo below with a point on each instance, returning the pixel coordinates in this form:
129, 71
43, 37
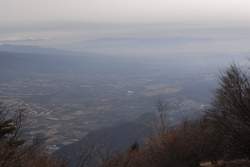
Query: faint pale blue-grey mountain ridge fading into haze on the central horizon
135, 46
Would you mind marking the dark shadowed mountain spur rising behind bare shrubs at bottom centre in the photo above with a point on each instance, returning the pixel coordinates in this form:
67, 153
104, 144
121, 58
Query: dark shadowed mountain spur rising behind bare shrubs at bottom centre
117, 138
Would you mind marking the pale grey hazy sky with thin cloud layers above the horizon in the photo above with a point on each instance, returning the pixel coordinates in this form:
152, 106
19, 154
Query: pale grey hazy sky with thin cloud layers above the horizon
42, 22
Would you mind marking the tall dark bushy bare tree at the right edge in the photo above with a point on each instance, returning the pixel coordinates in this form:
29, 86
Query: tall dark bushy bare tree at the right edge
230, 110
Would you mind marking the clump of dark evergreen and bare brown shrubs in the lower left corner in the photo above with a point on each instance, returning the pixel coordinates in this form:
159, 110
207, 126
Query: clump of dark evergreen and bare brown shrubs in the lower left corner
17, 148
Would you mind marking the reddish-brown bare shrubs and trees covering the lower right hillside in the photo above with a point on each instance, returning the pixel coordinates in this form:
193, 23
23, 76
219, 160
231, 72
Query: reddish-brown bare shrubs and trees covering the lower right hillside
223, 132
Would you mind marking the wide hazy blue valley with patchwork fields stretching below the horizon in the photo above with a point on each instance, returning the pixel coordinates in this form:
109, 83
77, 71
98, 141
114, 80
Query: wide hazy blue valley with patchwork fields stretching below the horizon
69, 94
